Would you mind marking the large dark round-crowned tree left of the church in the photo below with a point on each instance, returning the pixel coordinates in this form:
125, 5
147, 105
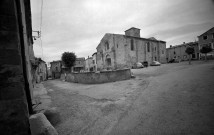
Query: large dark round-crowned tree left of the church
68, 58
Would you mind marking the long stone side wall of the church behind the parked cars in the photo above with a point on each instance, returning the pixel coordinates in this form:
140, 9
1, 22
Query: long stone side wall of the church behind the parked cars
125, 57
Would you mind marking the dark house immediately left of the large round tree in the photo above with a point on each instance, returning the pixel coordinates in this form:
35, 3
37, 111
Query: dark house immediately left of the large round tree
56, 68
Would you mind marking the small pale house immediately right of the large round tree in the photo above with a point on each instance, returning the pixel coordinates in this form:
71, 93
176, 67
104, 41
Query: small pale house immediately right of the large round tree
79, 65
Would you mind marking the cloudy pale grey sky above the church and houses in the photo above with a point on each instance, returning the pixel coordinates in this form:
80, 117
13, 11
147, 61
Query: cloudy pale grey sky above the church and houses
79, 25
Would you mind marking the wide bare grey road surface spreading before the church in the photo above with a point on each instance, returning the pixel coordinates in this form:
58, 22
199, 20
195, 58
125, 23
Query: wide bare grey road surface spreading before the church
170, 99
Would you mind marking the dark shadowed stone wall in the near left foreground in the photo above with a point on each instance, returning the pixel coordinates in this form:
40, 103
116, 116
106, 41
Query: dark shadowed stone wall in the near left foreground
13, 78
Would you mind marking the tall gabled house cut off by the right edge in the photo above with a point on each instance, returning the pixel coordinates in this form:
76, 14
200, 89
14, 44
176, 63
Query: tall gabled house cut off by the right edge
204, 39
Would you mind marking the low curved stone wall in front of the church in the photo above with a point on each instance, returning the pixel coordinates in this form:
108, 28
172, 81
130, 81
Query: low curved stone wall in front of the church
95, 78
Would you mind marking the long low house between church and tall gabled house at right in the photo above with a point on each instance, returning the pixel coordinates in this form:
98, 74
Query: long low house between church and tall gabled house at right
178, 52
